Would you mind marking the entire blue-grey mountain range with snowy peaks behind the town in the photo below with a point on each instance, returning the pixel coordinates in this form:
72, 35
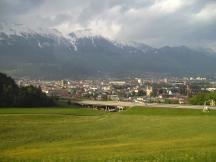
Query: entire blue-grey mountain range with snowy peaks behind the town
48, 54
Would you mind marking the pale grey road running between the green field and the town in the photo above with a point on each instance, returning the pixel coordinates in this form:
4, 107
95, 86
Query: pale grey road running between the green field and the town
132, 104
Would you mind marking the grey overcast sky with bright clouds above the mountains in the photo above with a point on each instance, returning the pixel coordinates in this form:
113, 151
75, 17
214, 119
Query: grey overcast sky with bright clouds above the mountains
154, 22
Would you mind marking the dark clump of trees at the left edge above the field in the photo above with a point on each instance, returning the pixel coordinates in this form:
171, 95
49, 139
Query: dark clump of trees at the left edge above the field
13, 96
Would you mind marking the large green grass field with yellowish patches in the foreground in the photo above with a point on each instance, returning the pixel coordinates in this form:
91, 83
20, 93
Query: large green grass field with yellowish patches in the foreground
137, 134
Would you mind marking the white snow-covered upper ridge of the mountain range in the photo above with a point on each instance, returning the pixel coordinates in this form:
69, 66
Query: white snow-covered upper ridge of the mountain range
9, 32
